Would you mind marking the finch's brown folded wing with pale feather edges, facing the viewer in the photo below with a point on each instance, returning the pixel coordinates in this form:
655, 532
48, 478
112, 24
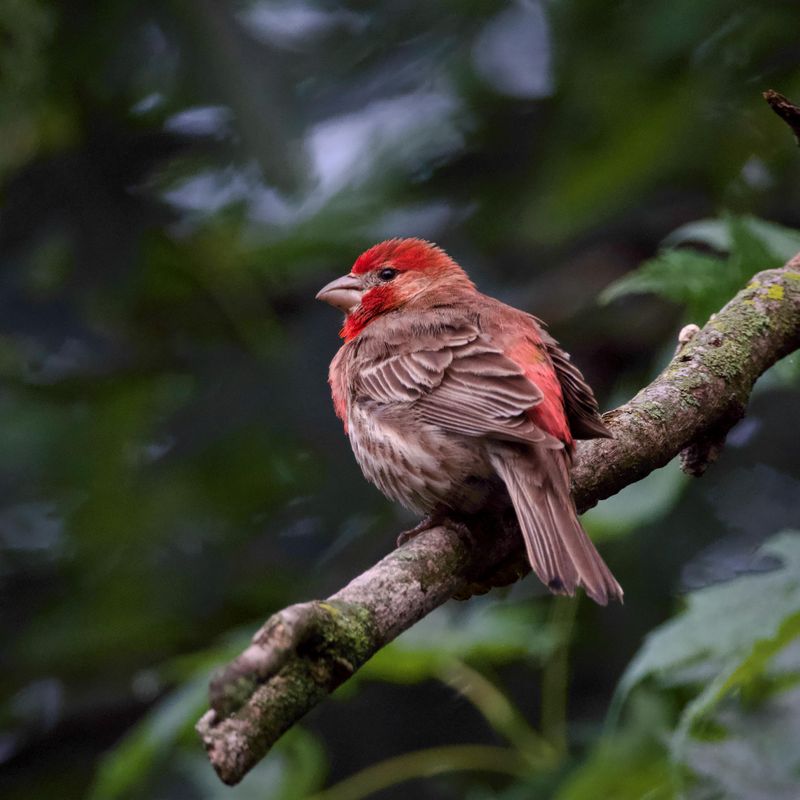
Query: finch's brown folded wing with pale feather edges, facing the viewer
462, 382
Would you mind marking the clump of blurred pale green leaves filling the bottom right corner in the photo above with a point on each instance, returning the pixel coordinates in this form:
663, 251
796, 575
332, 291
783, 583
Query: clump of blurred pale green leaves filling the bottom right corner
721, 702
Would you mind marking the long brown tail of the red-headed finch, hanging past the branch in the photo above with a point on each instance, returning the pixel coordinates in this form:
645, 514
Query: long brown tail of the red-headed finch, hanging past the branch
560, 552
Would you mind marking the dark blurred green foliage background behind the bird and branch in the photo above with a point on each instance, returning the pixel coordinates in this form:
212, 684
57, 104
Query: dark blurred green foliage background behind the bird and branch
177, 180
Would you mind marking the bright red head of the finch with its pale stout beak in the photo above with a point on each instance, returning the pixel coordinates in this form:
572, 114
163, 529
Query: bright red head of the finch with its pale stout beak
391, 275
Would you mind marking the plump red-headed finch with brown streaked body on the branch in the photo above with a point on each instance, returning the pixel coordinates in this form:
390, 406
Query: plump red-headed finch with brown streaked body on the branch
446, 394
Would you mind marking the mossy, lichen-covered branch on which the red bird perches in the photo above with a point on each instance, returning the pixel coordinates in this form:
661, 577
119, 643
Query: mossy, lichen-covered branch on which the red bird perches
304, 652
